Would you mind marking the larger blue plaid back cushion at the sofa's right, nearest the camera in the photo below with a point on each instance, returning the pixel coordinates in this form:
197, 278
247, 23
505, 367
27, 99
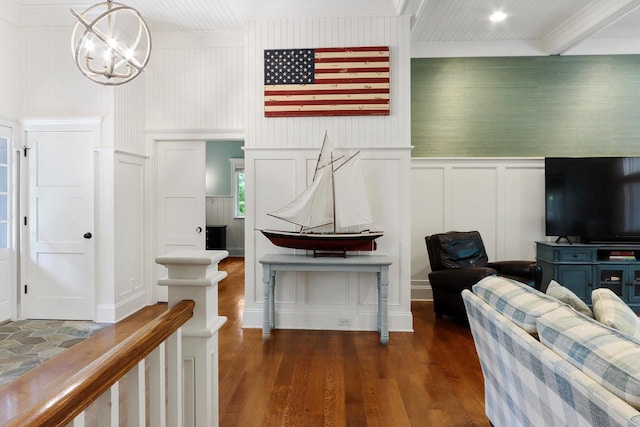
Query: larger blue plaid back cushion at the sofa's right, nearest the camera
609, 357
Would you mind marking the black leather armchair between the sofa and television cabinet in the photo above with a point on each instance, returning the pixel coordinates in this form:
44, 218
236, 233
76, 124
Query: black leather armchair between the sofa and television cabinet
459, 260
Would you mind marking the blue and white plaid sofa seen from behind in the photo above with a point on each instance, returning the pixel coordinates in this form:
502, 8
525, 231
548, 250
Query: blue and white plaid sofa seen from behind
547, 364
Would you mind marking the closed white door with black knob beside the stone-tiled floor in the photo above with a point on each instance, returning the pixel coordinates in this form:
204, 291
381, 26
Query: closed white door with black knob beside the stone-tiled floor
60, 281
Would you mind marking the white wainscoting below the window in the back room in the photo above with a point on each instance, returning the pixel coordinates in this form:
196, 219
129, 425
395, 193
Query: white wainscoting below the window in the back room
220, 211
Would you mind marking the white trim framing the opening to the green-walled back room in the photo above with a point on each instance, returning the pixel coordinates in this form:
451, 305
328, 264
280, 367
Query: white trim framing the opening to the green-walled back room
151, 141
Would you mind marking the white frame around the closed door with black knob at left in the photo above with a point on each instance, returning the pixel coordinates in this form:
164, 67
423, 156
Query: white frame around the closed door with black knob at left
71, 124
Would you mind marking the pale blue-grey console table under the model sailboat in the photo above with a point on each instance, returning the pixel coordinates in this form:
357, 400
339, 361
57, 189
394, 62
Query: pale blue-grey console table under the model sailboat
272, 263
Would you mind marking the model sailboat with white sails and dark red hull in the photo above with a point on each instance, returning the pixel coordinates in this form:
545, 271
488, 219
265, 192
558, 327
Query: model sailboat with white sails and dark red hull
332, 211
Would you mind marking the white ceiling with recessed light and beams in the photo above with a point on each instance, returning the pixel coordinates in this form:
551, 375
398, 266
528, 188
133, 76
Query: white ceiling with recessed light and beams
439, 27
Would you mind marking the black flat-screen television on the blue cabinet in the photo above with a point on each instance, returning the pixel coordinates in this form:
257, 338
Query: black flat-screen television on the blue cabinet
596, 199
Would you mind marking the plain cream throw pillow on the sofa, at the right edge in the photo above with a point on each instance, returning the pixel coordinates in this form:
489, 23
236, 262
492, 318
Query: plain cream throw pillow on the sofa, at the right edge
610, 310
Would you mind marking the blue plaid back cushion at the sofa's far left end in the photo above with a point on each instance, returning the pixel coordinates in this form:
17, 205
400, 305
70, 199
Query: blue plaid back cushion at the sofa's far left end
517, 301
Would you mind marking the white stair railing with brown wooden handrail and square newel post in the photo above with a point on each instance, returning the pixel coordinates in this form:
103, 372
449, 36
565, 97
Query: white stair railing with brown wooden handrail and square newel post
176, 351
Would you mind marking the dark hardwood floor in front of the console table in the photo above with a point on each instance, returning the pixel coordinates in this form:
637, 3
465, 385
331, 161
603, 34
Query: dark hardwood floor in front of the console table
305, 378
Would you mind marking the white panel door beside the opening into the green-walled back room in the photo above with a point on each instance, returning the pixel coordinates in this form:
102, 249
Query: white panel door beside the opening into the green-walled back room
181, 209
